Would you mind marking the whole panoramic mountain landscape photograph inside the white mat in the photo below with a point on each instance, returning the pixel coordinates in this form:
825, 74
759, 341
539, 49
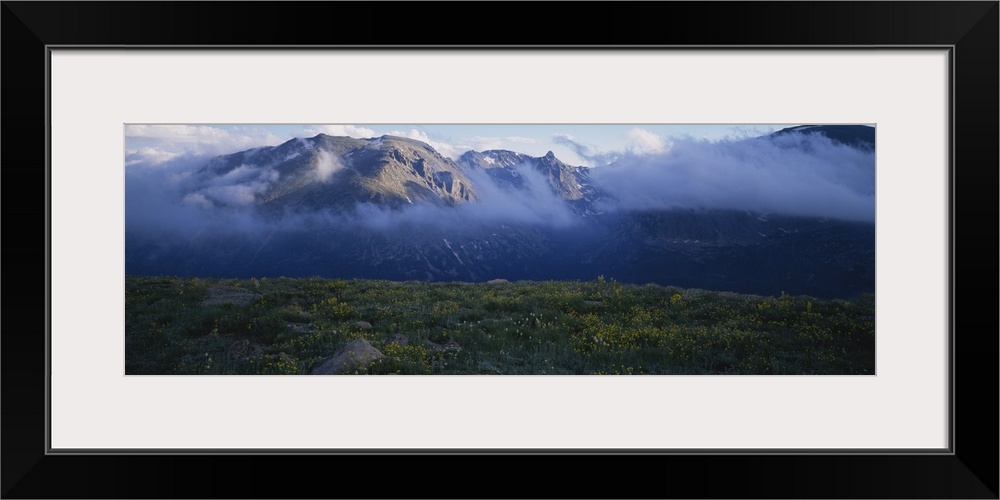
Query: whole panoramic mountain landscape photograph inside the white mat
514, 249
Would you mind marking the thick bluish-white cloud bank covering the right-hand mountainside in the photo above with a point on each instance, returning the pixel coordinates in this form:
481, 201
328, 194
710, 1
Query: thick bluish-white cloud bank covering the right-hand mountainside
793, 174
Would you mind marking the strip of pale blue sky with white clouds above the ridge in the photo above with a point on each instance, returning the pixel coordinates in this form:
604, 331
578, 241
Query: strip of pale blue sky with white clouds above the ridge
574, 144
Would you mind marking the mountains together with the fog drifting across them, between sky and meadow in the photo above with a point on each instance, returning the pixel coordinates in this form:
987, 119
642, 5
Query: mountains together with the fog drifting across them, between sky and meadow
791, 211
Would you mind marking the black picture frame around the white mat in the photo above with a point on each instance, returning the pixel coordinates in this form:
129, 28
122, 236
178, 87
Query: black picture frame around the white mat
969, 28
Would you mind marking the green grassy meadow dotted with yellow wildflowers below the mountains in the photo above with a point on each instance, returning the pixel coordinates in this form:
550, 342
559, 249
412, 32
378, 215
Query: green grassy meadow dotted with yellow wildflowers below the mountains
289, 326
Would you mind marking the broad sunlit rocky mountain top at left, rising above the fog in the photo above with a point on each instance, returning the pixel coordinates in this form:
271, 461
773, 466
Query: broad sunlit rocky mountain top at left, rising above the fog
325, 172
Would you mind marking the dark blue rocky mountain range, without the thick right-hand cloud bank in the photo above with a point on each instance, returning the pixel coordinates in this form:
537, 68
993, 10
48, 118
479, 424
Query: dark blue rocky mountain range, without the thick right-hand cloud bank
395, 208
